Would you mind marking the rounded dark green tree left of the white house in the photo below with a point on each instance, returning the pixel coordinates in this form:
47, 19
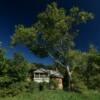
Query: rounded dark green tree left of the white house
20, 67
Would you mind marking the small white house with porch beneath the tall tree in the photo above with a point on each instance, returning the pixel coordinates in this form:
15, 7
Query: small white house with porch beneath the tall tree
43, 75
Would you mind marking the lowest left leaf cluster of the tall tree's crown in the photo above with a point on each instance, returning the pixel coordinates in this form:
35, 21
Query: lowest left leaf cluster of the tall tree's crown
23, 35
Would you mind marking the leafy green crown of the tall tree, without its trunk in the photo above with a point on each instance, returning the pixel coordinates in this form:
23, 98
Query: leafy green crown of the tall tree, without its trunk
56, 24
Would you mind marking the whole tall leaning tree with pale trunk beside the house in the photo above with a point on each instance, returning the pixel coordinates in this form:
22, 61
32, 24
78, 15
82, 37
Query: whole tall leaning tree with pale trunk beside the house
53, 34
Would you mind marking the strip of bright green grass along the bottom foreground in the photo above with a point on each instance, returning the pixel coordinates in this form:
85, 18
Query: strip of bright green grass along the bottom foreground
55, 95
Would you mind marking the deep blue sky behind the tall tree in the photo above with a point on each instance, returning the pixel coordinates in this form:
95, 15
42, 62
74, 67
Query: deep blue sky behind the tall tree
24, 12
